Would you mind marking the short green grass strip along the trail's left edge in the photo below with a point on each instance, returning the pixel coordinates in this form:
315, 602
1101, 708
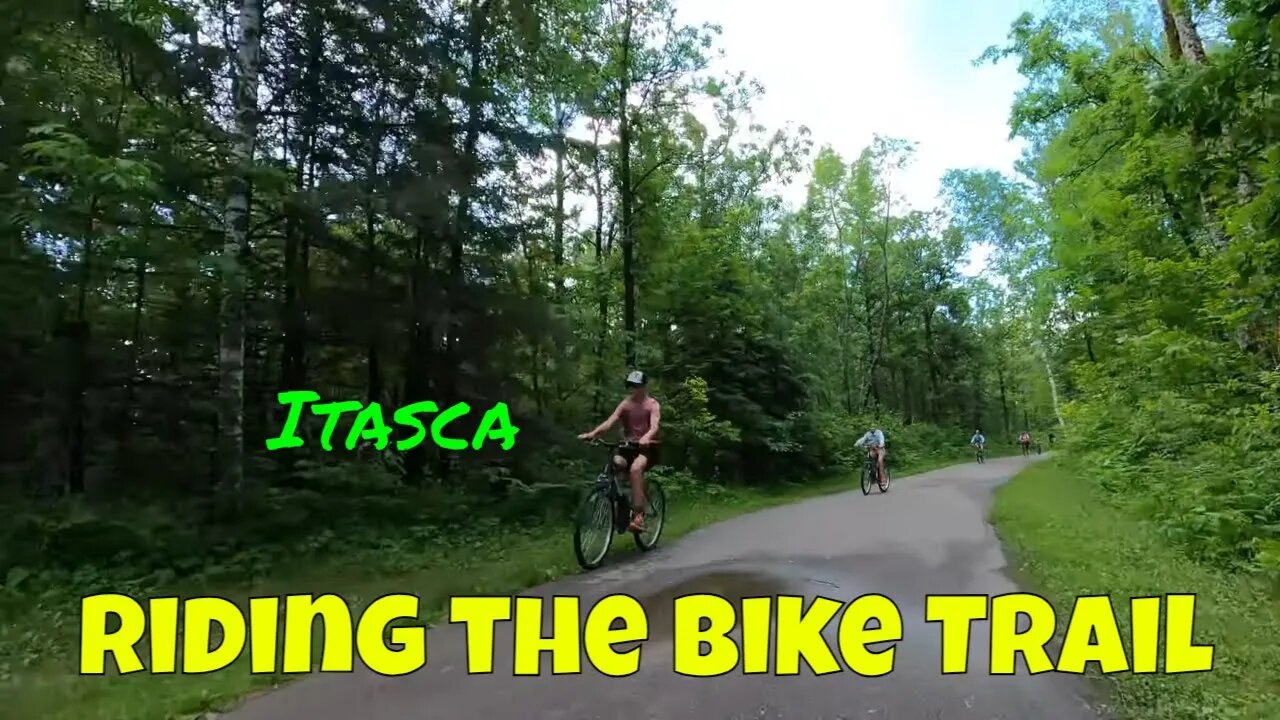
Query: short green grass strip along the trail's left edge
44, 683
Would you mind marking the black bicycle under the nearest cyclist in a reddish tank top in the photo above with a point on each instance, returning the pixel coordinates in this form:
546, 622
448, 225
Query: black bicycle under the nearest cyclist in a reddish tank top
607, 512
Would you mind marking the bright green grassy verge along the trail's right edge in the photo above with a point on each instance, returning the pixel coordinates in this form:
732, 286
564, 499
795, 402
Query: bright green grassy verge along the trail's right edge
1066, 543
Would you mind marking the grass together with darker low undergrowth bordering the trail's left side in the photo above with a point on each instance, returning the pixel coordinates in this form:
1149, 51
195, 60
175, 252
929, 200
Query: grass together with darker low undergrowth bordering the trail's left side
467, 549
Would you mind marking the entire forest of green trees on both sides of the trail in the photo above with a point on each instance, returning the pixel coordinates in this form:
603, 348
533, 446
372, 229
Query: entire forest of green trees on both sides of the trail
509, 203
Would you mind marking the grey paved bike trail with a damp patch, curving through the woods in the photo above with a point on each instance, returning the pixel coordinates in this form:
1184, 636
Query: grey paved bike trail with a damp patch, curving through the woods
929, 535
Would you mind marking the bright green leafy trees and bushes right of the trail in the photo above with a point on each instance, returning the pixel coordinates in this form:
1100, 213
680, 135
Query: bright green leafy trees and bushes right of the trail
1153, 240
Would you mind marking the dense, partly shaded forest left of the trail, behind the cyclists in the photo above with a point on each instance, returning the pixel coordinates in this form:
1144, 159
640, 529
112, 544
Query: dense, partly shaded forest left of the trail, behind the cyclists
418, 200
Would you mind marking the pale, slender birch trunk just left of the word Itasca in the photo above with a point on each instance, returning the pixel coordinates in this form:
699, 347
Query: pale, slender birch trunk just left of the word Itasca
231, 357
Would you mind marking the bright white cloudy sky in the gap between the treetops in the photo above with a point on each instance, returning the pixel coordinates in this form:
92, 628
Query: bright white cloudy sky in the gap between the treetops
904, 69
